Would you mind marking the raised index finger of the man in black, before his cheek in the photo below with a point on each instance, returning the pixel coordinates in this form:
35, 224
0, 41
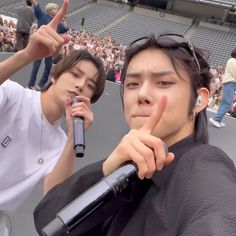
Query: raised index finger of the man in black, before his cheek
155, 117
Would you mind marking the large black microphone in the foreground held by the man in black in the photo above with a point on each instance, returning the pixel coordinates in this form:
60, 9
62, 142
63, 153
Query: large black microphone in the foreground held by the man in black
74, 213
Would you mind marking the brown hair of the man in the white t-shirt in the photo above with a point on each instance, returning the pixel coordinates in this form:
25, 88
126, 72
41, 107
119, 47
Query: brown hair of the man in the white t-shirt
71, 60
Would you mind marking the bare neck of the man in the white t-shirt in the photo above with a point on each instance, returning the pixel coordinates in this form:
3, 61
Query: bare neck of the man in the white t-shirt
50, 108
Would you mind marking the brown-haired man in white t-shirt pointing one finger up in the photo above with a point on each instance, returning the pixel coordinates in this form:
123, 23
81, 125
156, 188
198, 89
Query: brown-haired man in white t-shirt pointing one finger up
32, 144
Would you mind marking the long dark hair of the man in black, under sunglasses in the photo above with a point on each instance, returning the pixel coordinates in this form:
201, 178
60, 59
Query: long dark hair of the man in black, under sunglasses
180, 56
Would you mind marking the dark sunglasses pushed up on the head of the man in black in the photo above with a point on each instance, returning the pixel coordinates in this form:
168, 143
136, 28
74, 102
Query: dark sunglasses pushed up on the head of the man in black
170, 41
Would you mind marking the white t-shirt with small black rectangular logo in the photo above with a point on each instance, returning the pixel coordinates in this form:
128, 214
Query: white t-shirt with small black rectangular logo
29, 145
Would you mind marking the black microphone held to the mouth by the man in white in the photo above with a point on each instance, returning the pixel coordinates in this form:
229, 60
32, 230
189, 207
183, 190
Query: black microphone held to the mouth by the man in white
78, 131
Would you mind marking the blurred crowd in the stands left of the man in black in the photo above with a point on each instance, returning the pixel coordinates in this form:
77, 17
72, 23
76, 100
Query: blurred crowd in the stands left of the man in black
111, 52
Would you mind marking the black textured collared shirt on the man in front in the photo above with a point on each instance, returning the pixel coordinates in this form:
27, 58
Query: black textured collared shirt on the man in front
194, 195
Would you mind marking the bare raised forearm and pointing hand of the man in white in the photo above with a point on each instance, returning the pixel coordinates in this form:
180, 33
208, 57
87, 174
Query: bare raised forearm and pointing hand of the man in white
45, 42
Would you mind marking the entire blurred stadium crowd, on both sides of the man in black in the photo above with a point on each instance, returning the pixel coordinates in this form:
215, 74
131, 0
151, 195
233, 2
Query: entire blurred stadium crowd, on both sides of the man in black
111, 52
